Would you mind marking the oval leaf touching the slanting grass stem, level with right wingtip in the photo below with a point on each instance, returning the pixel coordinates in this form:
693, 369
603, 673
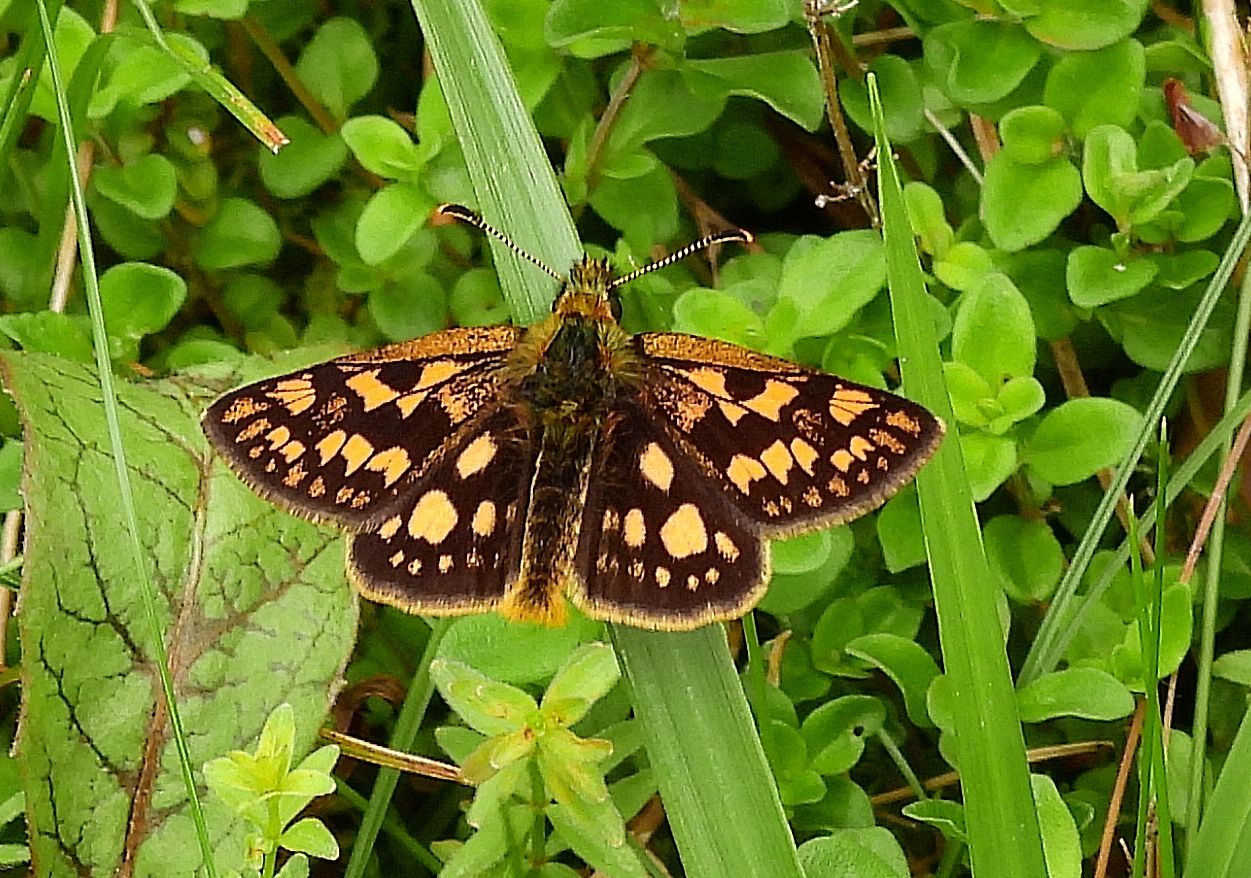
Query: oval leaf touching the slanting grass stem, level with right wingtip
1081, 437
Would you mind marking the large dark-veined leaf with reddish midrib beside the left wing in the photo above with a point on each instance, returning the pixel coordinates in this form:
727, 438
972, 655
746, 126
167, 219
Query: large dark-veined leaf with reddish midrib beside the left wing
253, 601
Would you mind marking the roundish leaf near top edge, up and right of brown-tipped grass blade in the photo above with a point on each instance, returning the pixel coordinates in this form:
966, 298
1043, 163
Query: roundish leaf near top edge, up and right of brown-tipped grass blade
338, 66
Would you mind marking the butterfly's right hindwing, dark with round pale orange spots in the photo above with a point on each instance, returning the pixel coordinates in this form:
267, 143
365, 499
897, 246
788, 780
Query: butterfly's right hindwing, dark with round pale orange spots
660, 546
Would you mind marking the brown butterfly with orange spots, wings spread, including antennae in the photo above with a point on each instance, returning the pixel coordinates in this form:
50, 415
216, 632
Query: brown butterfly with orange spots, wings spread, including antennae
510, 470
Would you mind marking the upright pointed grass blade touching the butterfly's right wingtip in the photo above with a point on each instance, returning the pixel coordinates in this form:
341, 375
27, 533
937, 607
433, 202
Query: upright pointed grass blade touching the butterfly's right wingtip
999, 805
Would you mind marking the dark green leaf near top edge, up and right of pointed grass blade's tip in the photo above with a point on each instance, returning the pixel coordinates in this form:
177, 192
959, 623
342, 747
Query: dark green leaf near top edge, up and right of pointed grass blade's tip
979, 62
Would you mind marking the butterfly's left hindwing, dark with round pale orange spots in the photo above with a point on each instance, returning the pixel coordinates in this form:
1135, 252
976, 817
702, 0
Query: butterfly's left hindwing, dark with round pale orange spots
452, 543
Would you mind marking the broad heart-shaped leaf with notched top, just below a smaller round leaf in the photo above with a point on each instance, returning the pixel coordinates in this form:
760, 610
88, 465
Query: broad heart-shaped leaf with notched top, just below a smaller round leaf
1023, 204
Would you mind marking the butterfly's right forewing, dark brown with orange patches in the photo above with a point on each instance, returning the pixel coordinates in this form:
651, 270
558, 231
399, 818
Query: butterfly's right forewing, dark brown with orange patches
793, 448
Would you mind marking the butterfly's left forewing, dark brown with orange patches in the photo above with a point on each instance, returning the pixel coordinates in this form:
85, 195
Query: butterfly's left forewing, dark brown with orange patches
340, 440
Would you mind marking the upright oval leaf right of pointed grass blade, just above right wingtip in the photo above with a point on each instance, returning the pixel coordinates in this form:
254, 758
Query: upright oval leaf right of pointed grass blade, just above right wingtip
994, 331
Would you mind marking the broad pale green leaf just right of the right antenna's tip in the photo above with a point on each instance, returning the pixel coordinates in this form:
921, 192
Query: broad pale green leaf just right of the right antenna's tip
829, 280
